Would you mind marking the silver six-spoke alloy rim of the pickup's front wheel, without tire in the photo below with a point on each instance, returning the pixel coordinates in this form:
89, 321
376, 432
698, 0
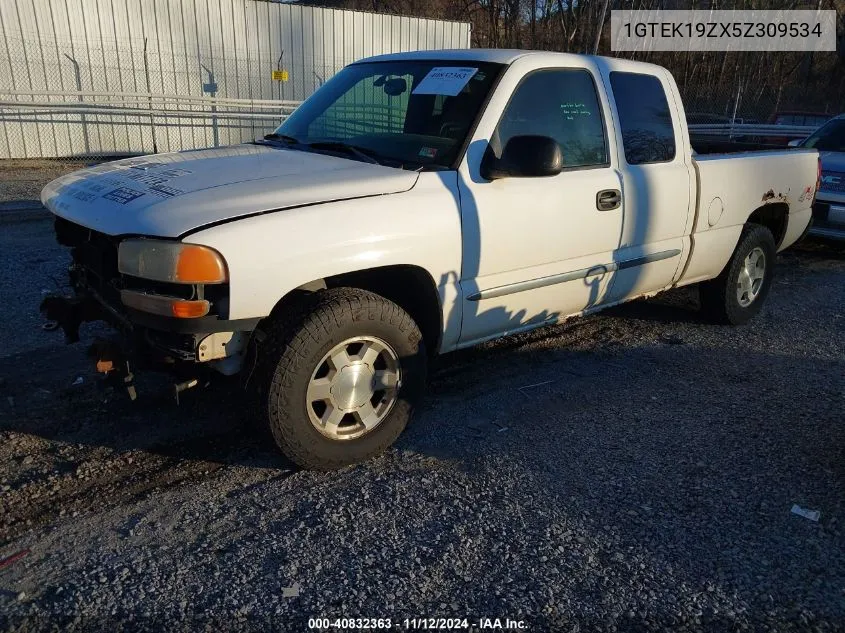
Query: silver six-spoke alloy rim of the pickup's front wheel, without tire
353, 388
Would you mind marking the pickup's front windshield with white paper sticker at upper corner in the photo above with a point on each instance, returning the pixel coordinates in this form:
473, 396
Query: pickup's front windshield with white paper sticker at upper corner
401, 112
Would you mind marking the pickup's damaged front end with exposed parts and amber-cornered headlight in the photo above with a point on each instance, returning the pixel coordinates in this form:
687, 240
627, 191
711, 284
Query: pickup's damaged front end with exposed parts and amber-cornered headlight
162, 321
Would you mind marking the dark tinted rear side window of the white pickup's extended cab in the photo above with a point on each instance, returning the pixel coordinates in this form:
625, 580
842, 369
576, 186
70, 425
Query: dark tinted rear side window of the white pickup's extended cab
644, 117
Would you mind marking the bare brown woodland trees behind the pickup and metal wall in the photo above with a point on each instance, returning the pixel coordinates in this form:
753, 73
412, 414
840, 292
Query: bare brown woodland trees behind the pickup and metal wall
709, 81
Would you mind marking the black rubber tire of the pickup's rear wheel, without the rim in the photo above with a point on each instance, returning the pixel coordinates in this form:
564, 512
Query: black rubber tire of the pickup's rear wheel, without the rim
719, 296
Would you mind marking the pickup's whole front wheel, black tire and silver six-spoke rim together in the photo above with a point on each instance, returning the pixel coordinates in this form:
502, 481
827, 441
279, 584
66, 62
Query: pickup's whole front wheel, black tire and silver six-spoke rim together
338, 378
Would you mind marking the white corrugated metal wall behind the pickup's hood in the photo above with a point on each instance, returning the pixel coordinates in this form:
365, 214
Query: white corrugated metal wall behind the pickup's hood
176, 47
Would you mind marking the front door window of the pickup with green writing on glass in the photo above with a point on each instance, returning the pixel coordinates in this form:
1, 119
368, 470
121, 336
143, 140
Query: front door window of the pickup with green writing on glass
561, 104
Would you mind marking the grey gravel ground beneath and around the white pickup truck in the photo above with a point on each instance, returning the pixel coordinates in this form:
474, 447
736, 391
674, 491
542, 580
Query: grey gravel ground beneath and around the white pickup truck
629, 471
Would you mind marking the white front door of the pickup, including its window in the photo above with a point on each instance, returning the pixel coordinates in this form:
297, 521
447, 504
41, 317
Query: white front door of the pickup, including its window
537, 249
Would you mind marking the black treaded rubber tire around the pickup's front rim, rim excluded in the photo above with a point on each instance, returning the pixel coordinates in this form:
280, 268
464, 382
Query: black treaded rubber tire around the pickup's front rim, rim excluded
290, 353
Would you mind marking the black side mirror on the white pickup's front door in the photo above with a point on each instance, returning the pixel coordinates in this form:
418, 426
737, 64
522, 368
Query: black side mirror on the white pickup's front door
524, 157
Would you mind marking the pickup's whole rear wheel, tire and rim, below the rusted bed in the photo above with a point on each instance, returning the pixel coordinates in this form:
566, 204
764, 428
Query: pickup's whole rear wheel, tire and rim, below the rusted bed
738, 293
